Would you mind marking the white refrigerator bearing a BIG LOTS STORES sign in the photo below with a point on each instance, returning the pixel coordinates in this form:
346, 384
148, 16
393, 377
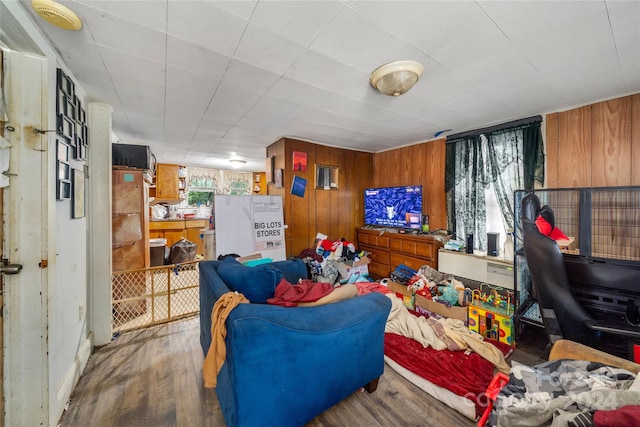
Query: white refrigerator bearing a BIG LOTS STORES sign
246, 225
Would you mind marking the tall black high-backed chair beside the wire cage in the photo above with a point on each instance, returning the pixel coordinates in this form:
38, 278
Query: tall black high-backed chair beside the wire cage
563, 316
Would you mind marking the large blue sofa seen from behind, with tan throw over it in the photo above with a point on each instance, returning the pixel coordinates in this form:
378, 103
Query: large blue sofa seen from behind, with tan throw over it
285, 366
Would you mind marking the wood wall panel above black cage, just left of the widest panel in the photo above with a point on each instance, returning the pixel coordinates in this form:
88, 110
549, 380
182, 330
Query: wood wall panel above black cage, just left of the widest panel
574, 150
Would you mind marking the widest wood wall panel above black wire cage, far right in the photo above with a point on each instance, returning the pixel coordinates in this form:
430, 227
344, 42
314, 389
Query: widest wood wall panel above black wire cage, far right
611, 143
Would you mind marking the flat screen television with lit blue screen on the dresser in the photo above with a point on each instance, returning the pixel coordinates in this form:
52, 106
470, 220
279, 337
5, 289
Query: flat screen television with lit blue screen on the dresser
393, 206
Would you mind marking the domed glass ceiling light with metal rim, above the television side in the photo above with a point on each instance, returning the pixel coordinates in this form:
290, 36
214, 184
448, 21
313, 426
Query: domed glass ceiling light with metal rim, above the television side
396, 78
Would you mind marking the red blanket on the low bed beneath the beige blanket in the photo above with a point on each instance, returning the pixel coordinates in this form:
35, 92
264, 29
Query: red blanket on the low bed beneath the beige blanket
466, 375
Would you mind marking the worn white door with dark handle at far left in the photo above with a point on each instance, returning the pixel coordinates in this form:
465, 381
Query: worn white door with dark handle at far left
25, 219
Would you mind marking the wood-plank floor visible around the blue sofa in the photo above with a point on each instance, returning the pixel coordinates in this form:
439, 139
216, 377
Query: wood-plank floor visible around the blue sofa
153, 377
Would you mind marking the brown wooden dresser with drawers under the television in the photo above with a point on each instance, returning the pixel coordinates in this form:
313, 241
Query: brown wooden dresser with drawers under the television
389, 249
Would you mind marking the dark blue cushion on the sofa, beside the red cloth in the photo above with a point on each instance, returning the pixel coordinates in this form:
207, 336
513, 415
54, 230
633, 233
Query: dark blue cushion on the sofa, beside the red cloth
257, 284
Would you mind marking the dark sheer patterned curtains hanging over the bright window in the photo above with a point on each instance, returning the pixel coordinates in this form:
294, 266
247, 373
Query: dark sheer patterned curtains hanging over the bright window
510, 159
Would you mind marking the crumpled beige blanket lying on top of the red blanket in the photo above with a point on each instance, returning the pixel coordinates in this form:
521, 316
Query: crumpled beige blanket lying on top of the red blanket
440, 334
